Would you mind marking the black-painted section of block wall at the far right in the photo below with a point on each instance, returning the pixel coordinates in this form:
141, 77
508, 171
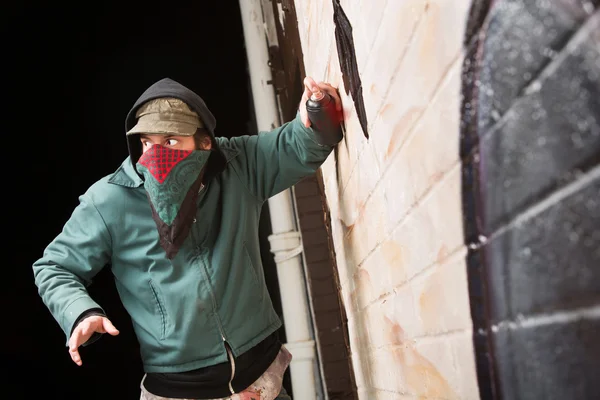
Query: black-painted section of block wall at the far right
531, 164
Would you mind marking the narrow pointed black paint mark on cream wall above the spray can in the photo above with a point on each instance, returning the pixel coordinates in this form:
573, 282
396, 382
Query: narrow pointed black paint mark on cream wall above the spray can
348, 64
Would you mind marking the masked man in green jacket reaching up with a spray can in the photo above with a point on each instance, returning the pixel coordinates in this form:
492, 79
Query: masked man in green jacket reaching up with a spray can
178, 223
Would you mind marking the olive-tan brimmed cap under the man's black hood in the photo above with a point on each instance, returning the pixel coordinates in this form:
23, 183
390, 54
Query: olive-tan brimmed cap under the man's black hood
166, 116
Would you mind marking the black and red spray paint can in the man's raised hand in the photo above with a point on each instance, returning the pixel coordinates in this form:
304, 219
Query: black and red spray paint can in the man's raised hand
324, 118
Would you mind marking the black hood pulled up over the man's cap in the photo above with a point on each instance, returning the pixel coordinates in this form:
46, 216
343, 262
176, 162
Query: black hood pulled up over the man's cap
169, 88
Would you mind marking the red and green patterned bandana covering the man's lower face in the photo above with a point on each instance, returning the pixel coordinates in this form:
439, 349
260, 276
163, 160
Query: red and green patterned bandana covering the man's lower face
172, 179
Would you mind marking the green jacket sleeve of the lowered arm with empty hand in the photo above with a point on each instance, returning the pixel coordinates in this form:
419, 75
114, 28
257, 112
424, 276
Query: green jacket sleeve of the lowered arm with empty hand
69, 264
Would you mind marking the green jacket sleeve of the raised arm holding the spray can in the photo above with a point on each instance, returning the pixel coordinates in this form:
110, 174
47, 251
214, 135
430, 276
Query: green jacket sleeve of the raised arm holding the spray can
276, 160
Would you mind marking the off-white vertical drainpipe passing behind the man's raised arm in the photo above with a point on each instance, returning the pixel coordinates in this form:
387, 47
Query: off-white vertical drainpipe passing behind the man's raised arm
285, 241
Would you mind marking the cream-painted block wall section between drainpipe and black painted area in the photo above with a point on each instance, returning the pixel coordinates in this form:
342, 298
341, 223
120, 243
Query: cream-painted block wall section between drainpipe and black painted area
395, 198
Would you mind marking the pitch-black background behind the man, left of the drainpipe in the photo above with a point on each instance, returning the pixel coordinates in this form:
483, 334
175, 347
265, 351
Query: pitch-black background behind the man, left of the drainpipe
70, 76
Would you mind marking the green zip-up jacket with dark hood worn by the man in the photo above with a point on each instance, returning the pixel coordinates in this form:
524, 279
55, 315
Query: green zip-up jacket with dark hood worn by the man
212, 293
